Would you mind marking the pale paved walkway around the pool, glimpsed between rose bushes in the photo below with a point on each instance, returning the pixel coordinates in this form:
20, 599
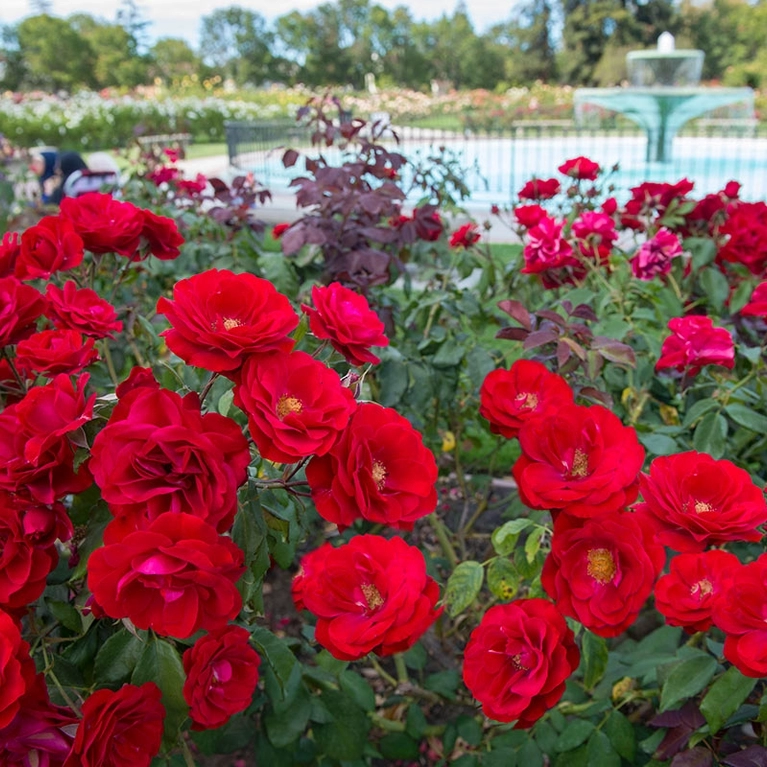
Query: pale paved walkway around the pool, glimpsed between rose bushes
283, 204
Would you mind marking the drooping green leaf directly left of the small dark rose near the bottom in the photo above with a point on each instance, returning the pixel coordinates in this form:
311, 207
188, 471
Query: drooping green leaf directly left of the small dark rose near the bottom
161, 664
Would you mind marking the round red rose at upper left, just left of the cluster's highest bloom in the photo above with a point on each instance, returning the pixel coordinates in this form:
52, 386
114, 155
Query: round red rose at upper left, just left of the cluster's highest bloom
50, 246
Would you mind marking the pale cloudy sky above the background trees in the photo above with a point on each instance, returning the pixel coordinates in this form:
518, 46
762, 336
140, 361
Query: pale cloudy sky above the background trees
181, 18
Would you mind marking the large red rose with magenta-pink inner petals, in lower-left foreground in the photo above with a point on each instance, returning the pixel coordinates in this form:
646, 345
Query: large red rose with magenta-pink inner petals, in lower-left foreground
176, 577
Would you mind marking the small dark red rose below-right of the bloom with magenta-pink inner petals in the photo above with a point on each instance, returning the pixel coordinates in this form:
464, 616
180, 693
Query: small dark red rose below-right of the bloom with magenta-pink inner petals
221, 676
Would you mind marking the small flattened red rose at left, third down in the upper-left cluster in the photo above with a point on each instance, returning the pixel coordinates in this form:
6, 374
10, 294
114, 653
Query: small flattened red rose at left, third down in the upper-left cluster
51, 352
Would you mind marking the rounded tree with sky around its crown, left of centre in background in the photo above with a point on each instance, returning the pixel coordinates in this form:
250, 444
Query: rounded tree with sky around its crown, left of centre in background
238, 43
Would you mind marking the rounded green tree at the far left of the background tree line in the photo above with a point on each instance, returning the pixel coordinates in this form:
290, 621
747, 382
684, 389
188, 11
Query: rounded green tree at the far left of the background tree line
54, 54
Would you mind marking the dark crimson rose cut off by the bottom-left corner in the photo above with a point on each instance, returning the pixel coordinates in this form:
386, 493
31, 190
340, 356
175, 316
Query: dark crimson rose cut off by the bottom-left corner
39, 733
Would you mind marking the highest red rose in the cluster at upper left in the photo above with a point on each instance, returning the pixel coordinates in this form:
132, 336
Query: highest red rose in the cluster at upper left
106, 225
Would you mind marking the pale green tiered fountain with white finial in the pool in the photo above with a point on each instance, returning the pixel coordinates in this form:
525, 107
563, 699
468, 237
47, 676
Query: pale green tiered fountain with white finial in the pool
663, 94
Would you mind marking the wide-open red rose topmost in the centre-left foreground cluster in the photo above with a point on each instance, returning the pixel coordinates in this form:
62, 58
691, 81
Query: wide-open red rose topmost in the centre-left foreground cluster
218, 318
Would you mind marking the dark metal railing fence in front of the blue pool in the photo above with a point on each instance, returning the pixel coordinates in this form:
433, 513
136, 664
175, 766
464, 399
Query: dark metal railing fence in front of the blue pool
498, 162
